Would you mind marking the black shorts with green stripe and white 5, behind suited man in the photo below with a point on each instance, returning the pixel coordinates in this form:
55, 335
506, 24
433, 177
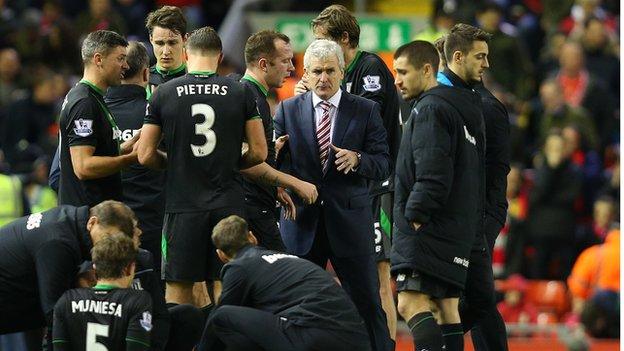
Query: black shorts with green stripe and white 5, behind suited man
382, 213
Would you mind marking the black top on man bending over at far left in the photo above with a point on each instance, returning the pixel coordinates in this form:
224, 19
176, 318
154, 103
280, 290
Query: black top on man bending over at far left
42, 251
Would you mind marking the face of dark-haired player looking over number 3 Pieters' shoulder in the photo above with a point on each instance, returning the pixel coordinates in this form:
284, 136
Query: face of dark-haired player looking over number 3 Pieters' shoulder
168, 48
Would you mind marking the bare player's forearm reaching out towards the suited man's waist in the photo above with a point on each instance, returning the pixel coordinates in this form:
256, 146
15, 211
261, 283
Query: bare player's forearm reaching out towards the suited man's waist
266, 175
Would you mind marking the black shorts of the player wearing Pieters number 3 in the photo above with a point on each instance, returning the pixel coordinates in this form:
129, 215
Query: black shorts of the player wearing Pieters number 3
188, 254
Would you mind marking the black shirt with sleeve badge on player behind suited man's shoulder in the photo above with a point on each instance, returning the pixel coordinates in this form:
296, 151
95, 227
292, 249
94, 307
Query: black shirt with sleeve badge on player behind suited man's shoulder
368, 77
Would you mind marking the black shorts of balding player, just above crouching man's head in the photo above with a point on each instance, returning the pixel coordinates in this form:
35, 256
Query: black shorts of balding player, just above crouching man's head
263, 224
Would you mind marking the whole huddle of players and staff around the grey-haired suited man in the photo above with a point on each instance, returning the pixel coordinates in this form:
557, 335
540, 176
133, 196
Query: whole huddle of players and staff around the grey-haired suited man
191, 217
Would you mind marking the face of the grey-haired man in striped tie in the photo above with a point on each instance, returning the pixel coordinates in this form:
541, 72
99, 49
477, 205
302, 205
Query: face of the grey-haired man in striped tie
324, 76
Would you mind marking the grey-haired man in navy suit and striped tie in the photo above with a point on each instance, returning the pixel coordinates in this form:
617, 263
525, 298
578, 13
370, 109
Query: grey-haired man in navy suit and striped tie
337, 142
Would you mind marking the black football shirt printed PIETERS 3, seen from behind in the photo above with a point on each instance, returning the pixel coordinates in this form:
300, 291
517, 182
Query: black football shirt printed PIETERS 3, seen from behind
203, 120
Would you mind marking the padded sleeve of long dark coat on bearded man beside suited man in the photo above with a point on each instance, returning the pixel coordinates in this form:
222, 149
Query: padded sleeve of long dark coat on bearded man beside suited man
432, 148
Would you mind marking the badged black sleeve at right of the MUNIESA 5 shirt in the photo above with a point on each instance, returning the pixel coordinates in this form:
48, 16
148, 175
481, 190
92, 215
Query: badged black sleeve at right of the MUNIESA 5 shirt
140, 324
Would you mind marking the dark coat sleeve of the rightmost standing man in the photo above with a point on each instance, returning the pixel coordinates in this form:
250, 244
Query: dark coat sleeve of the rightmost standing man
497, 156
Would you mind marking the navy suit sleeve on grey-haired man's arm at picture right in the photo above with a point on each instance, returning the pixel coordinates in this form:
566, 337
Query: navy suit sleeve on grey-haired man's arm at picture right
375, 162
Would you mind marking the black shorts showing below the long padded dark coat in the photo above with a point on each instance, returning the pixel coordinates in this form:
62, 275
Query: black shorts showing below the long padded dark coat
411, 280
